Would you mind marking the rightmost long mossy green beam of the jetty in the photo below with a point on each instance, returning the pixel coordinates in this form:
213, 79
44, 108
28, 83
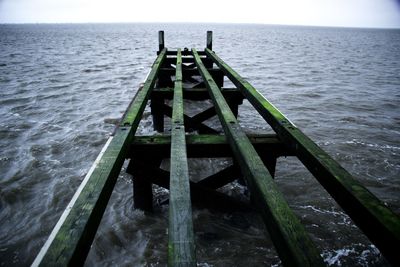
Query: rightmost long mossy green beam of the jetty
375, 219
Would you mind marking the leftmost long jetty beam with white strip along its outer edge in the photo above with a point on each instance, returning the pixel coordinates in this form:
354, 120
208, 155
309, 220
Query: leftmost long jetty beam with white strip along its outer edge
73, 234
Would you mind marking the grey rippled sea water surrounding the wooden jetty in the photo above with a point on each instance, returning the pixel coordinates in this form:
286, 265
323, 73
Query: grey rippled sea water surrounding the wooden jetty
61, 86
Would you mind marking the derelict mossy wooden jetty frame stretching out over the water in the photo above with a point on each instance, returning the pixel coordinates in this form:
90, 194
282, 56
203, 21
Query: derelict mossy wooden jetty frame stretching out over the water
254, 158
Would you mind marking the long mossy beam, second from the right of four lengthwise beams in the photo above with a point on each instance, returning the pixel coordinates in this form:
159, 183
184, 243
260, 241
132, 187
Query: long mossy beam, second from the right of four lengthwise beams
293, 244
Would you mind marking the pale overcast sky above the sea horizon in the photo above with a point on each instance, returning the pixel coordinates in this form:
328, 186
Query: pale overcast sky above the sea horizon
350, 13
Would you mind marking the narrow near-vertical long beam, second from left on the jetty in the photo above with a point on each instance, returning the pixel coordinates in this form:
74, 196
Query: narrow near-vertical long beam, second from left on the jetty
181, 247
